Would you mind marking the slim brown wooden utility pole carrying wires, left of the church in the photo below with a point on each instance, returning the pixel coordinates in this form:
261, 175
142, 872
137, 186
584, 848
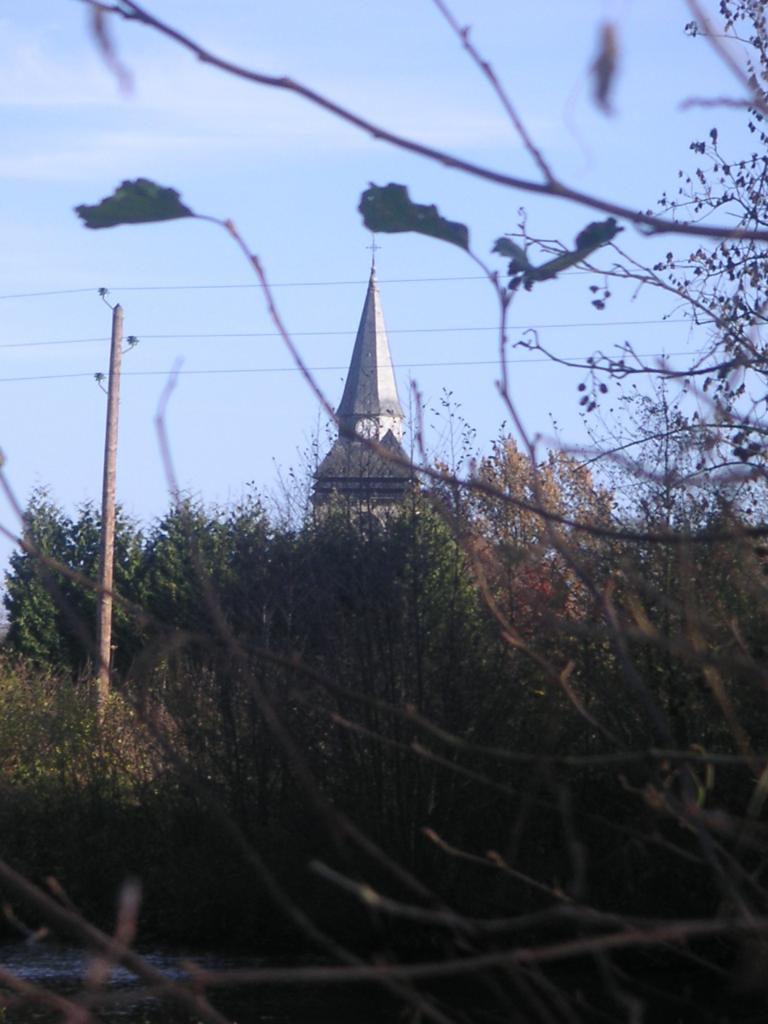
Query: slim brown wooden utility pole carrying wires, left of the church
107, 562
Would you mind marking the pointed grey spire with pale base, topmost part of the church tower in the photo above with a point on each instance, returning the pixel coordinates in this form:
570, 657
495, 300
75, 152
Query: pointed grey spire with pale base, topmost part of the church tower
370, 405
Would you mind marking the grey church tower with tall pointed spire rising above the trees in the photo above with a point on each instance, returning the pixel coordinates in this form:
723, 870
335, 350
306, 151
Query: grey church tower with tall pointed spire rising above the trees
370, 410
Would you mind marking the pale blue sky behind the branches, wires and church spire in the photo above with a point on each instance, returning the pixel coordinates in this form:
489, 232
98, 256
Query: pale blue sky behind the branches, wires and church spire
291, 177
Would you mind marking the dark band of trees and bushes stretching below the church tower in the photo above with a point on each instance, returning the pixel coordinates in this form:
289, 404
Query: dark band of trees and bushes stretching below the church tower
463, 705
